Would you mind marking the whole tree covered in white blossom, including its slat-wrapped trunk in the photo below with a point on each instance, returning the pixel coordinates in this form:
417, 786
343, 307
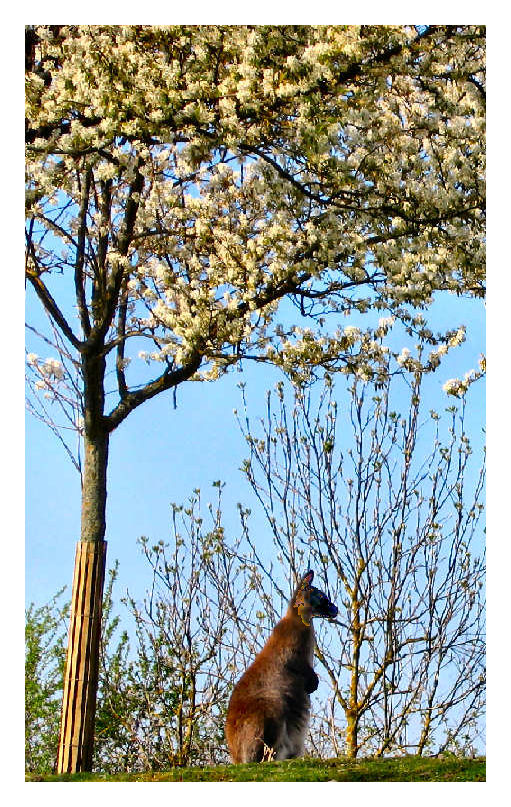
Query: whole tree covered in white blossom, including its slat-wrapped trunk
182, 181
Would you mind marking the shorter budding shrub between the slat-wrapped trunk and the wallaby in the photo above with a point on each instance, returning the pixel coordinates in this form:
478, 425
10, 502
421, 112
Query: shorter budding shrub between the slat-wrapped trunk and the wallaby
163, 693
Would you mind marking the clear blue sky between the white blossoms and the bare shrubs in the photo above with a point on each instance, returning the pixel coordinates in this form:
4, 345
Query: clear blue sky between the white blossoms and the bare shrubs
160, 454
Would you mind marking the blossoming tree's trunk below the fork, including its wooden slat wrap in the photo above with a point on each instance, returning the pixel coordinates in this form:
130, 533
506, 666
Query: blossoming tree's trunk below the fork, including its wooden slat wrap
82, 661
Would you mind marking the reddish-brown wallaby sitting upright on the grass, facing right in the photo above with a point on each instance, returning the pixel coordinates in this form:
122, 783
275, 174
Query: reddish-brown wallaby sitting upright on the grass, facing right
269, 708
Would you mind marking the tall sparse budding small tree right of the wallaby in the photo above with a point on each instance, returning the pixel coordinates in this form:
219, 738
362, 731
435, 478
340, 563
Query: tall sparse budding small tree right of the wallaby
390, 517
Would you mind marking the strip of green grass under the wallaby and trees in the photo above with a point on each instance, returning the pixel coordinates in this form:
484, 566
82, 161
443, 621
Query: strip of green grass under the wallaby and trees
397, 769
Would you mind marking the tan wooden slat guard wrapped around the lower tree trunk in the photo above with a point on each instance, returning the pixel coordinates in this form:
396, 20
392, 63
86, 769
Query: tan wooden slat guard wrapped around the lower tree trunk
82, 660
